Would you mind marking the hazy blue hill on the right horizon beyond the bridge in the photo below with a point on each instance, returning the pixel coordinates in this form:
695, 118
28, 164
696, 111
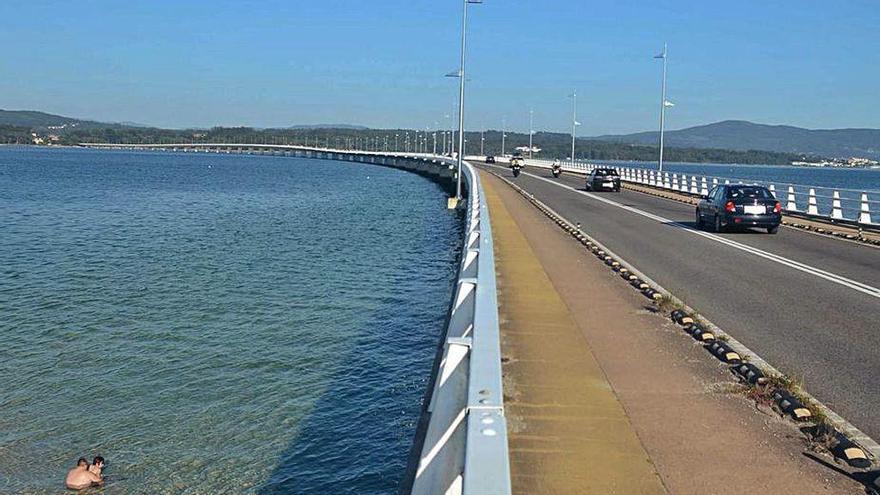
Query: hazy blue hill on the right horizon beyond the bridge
742, 135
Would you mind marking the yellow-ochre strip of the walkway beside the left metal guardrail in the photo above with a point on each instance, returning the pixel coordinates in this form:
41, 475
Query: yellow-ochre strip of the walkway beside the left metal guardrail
568, 432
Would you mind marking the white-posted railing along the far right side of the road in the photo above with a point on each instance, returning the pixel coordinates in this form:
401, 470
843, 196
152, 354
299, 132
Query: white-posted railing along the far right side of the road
841, 205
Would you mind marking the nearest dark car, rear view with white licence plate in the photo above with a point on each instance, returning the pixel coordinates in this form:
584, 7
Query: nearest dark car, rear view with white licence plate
740, 205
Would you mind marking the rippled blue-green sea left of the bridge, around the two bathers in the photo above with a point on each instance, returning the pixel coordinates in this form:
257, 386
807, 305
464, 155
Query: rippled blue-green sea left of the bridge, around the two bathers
216, 323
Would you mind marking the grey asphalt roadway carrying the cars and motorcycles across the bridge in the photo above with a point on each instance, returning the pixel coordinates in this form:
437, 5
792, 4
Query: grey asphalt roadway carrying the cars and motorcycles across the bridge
808, 304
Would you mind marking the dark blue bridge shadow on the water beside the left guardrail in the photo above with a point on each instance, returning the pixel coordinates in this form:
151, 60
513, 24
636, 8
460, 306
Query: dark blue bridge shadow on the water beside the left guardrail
358, 436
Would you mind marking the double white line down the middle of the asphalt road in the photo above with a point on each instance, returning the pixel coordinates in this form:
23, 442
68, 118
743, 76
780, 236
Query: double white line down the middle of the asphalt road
831, 277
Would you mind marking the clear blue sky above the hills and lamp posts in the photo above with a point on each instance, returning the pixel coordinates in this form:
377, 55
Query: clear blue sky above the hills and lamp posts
381, 63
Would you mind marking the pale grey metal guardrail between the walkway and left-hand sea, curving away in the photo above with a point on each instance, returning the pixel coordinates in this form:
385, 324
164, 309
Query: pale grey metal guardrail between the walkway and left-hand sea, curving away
464, 448
